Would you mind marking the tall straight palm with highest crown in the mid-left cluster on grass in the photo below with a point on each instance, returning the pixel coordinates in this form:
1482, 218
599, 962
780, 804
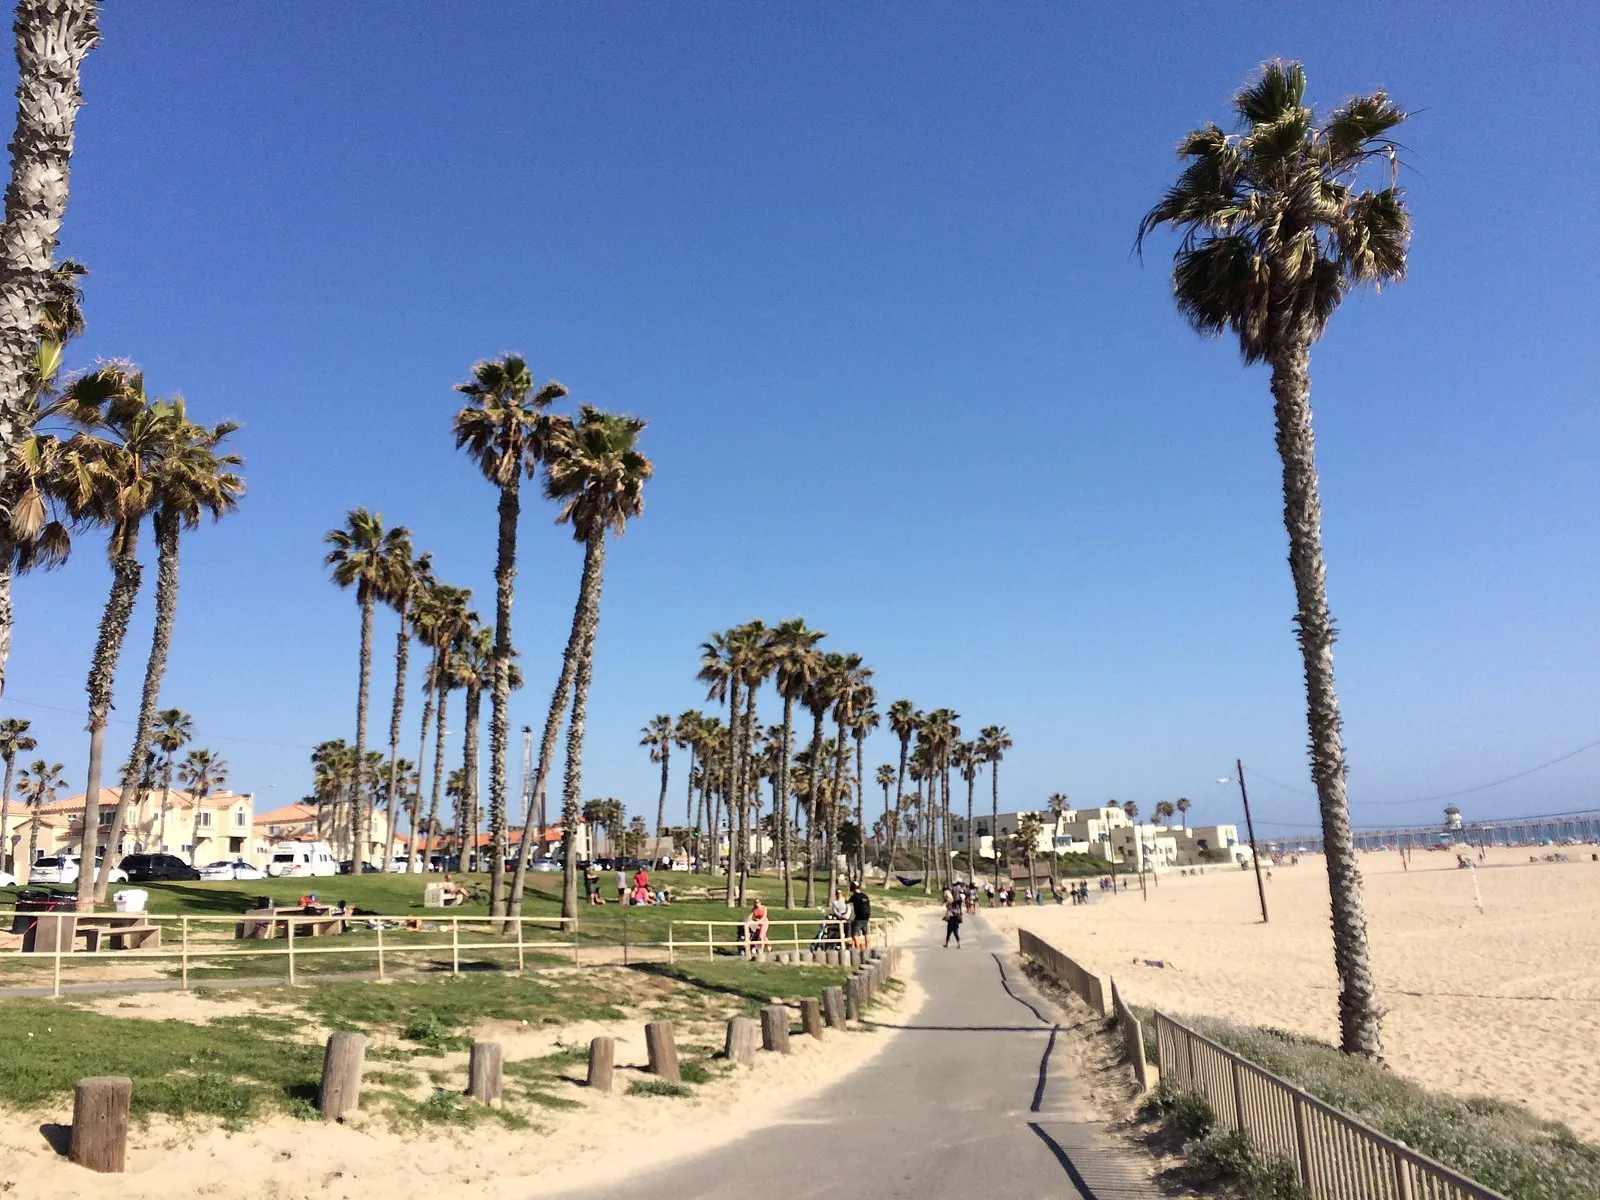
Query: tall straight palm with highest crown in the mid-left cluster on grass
506, 433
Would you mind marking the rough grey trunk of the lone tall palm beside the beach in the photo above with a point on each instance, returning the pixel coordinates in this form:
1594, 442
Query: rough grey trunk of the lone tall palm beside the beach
1359, 1014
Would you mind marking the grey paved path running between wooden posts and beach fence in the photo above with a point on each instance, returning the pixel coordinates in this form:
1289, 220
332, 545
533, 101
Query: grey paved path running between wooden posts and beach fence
970, 1098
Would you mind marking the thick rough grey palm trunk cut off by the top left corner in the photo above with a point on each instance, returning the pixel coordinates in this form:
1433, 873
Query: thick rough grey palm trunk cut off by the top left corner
52, 41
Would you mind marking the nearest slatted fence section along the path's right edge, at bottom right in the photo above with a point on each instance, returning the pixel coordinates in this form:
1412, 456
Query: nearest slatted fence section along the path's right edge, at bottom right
1337, 1156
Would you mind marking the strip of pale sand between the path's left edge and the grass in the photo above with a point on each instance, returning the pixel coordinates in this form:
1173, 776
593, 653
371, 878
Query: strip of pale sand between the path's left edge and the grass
606, 1140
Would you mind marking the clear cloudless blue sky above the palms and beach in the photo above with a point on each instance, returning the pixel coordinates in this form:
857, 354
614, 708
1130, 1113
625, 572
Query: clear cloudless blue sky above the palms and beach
868, 273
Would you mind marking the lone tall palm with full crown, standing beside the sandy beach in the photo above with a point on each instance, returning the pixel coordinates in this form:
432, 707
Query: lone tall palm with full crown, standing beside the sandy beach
1276, 231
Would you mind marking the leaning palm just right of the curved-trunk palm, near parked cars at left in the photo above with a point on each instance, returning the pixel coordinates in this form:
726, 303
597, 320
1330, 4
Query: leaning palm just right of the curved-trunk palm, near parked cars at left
190, 479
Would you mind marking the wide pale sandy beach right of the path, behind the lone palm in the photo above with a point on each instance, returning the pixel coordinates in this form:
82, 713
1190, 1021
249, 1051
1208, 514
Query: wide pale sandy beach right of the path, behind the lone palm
1502, 1004
